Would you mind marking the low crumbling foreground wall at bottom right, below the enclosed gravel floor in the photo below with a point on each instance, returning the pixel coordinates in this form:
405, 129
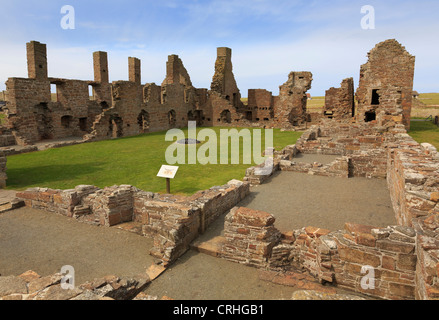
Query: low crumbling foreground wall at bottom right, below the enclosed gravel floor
342, 258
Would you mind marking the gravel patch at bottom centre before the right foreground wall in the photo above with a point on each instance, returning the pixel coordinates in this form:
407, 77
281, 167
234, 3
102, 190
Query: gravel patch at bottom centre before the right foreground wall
198, 276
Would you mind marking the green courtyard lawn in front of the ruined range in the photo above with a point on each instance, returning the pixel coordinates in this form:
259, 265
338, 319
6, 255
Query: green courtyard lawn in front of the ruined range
133, 160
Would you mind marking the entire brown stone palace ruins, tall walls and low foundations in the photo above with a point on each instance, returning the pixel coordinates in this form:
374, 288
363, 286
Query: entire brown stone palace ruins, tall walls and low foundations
370, 139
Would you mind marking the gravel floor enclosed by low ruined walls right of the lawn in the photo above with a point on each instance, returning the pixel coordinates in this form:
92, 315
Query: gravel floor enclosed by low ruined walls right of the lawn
300, 200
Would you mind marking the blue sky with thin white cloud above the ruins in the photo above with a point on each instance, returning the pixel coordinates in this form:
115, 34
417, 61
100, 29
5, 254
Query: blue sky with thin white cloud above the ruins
269, 38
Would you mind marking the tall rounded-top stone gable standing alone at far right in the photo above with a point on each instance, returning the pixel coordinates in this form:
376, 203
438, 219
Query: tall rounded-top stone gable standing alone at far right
385, 90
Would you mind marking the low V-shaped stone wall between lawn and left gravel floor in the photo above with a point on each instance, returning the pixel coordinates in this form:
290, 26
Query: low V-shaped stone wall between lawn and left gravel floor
172, 221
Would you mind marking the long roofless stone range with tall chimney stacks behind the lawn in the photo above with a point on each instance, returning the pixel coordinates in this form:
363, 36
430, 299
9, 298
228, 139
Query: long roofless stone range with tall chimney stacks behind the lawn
126, 108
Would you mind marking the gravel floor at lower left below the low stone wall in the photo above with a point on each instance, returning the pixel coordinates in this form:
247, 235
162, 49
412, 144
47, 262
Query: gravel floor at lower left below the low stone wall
45, 242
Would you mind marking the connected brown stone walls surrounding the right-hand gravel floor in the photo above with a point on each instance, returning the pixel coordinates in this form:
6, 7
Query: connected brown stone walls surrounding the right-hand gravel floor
403, 259
